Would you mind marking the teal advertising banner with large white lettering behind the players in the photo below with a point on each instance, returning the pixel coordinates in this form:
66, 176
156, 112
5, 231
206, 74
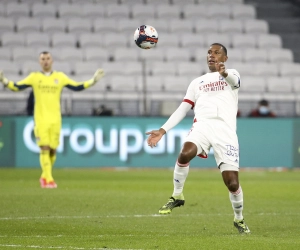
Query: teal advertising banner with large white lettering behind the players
116, 142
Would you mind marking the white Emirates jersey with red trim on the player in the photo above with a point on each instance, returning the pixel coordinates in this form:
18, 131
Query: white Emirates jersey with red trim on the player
213, 96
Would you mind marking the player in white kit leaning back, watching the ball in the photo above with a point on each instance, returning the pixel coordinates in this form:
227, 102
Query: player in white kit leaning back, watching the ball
214, 98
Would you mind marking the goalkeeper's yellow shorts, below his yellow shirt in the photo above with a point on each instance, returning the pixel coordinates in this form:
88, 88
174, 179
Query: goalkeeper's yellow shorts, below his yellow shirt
47, 135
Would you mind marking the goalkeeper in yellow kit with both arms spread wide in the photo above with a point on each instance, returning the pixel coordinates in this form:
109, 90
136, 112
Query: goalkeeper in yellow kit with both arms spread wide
47, 86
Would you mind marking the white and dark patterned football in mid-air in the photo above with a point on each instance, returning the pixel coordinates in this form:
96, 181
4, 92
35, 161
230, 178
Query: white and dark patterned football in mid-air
146, 37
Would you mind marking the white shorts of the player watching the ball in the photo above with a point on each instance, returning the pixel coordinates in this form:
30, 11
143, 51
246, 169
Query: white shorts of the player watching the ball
218, 135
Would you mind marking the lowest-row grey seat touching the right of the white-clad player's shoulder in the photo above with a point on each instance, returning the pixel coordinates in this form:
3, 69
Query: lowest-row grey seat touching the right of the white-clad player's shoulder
253, 84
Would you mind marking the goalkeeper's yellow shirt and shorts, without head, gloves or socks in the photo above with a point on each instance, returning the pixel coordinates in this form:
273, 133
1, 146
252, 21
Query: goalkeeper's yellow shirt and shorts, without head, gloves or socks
47, 111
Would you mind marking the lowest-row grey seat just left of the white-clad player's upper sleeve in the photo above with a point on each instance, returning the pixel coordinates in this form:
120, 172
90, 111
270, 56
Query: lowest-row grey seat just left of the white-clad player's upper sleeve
176, 84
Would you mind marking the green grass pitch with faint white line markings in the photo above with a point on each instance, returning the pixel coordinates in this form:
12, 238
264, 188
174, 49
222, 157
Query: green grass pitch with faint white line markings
107, 209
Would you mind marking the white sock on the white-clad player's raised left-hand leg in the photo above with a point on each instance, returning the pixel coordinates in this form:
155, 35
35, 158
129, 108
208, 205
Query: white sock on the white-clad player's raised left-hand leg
180, 173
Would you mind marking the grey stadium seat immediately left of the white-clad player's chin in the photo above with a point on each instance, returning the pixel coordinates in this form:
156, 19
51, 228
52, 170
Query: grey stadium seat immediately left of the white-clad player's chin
190, 69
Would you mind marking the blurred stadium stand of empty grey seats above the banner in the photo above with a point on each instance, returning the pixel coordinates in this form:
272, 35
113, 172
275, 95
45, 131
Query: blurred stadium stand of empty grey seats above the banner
262, 38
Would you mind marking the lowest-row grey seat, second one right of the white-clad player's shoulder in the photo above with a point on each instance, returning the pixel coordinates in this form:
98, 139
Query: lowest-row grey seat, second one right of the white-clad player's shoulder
279, 84
